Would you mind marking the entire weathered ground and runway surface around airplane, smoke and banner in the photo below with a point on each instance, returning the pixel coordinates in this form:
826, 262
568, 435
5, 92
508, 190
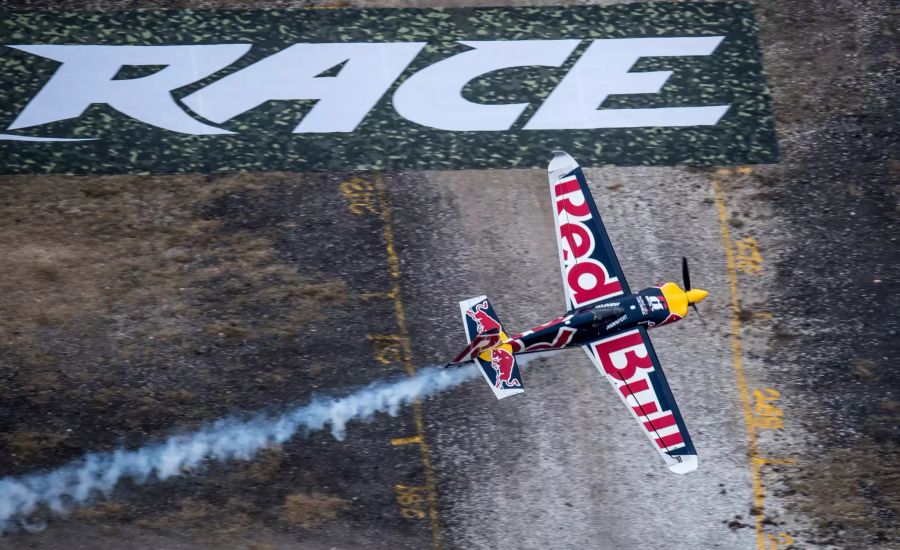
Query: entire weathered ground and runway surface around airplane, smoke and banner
561, 466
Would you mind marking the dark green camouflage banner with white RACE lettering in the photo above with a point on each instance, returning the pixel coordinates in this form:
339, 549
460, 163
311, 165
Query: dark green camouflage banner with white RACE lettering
165, 91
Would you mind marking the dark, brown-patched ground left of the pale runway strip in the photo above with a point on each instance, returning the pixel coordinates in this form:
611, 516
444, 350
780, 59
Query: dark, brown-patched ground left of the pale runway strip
145, 306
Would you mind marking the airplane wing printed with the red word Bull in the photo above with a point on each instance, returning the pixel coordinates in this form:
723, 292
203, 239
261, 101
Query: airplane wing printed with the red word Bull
630, 364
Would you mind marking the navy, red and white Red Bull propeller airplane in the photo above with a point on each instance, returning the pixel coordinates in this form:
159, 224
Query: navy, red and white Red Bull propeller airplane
604, 318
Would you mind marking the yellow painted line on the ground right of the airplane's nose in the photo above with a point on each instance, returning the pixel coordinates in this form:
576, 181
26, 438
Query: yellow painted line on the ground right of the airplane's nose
759, 494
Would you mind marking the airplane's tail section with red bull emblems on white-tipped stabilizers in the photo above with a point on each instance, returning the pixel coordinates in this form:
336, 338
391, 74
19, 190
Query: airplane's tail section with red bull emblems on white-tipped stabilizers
485, 334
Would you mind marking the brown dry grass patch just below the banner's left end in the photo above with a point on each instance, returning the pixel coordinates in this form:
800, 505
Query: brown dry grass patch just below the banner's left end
81, 251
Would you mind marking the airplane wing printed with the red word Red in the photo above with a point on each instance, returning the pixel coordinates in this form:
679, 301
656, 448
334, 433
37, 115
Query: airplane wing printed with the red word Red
590, 269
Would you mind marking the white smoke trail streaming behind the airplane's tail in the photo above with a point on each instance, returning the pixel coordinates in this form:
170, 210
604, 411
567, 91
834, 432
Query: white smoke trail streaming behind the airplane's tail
98, 473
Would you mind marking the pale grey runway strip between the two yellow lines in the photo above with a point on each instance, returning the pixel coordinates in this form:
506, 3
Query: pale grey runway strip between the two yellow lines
563, 465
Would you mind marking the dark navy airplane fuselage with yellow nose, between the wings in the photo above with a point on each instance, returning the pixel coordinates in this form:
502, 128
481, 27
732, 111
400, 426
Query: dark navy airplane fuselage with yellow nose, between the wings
651, 307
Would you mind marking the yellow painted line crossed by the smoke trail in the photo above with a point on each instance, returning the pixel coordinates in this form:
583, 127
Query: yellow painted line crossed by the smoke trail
406, 357
